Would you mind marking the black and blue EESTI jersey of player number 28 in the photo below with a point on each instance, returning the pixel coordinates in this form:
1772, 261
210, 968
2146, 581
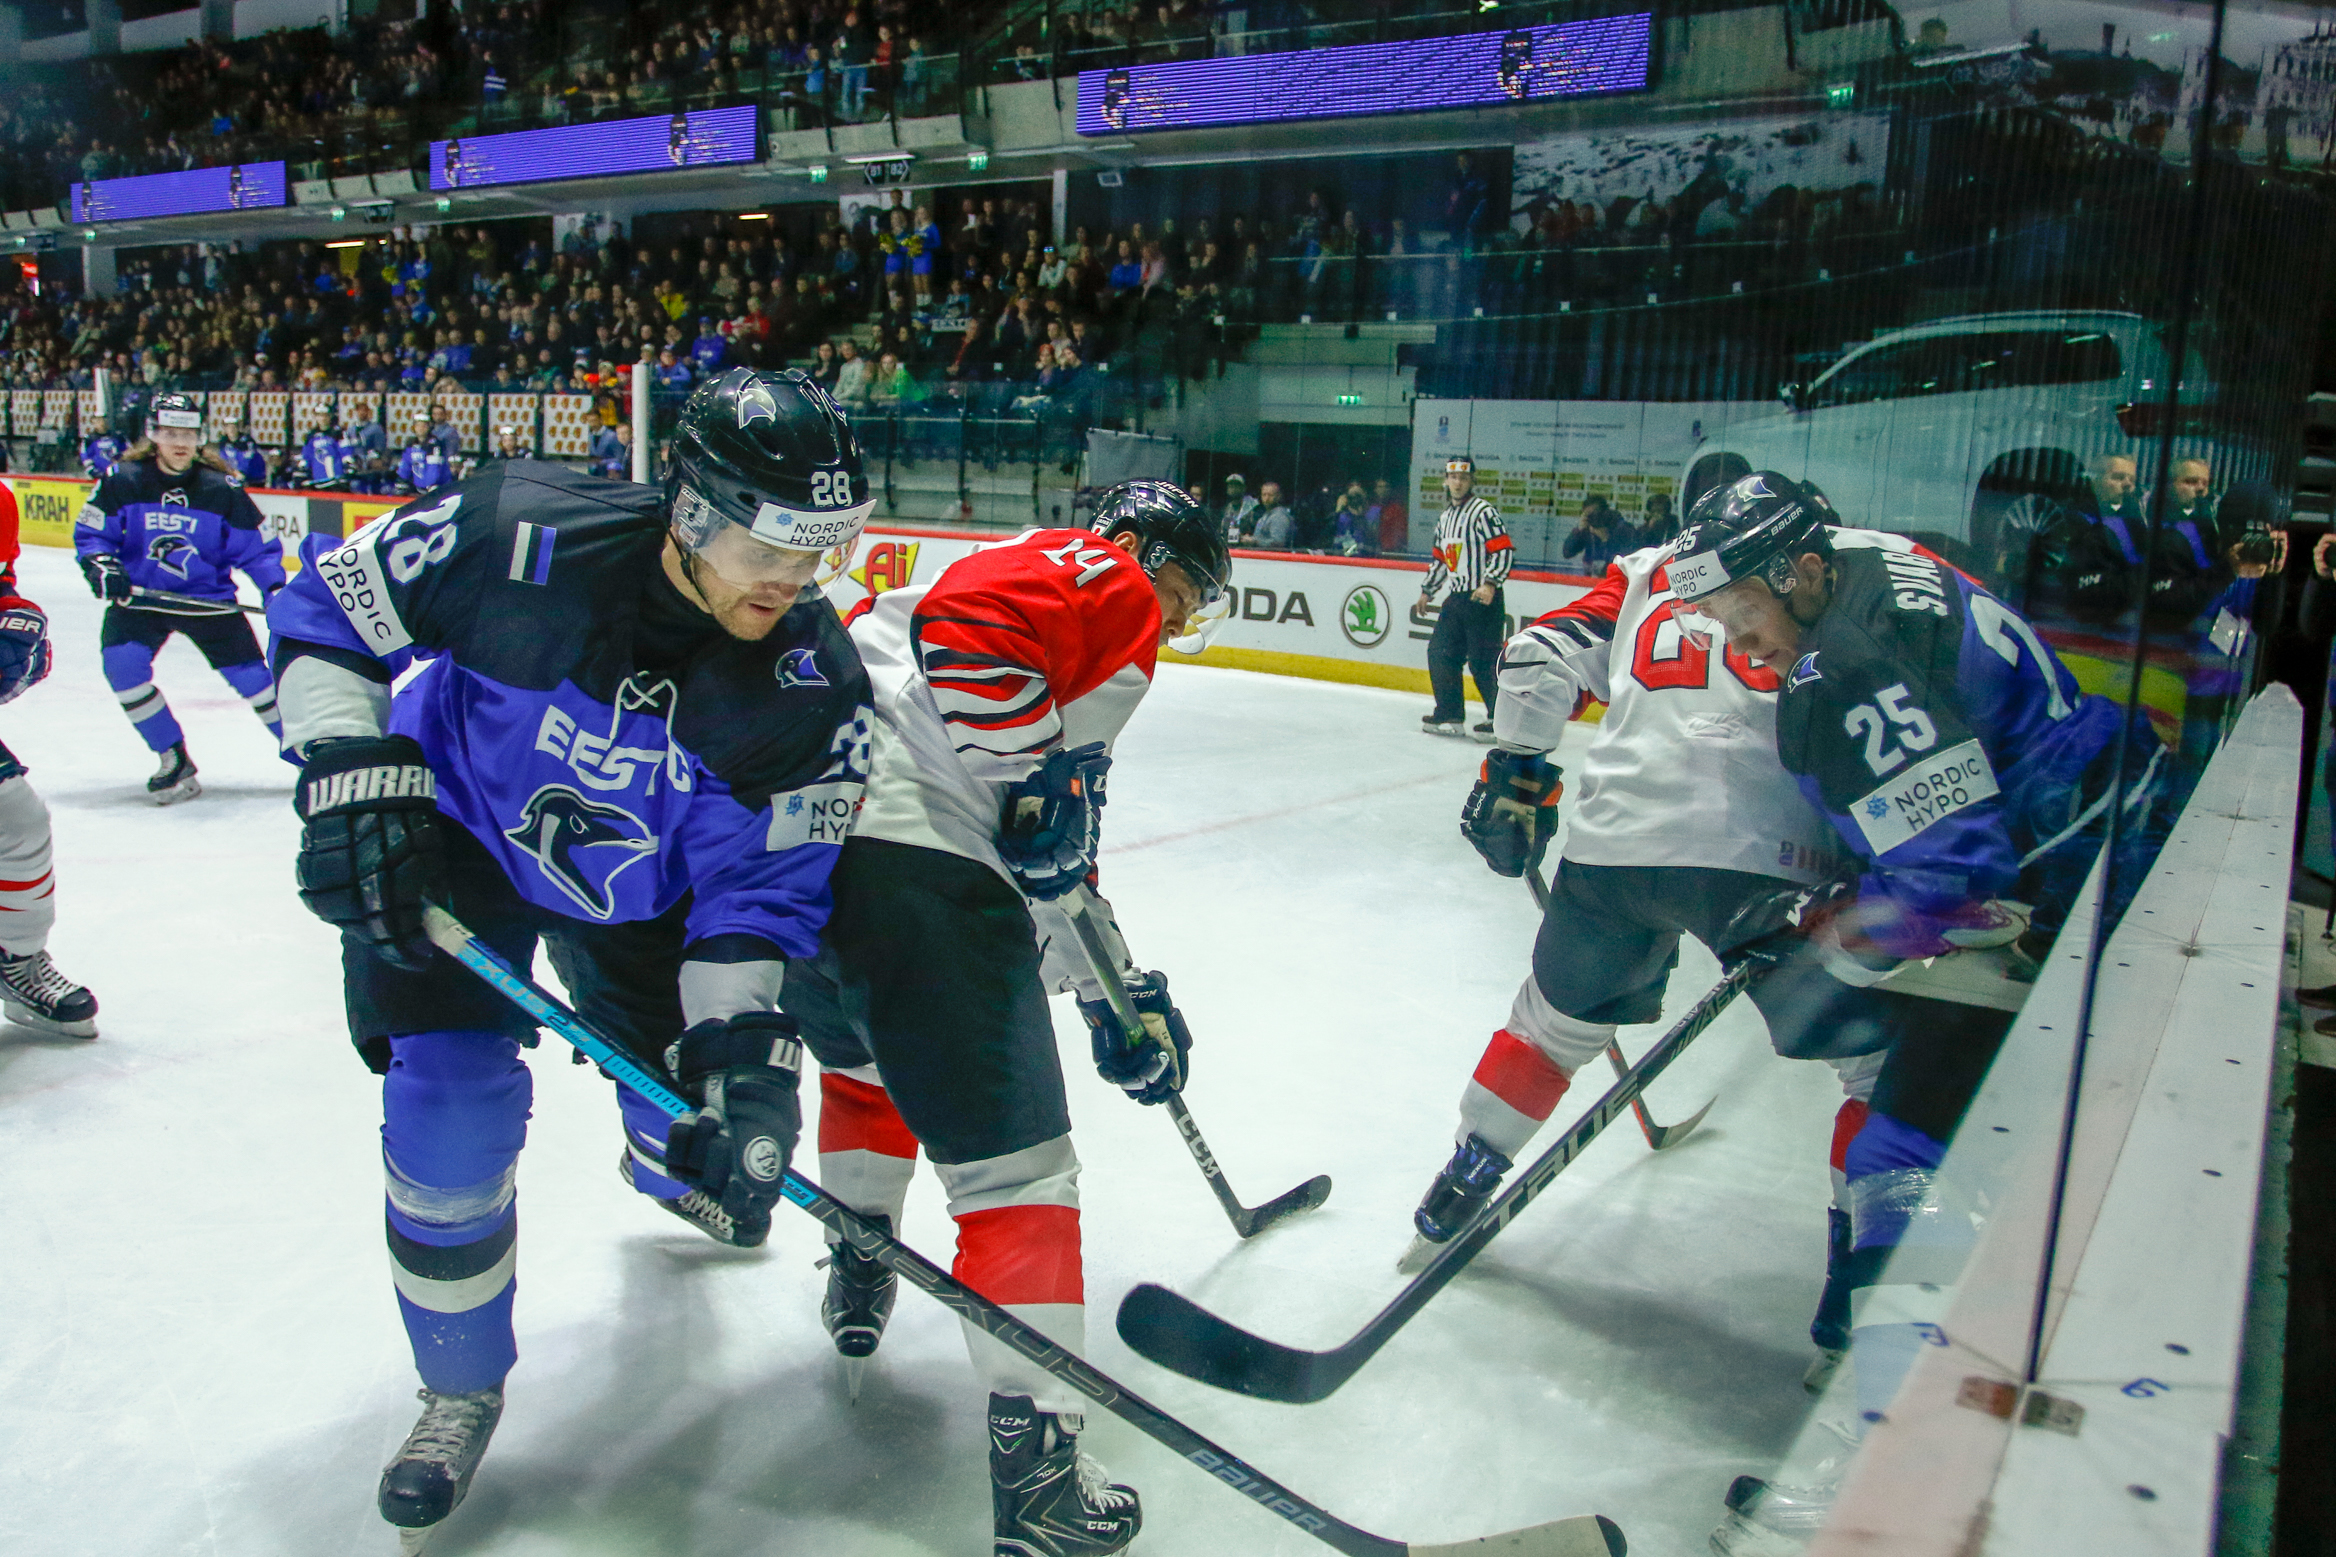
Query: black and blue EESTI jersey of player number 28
604, 739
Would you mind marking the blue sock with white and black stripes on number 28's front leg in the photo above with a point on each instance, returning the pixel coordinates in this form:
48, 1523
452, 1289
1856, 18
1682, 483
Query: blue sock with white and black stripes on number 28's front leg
454, 1112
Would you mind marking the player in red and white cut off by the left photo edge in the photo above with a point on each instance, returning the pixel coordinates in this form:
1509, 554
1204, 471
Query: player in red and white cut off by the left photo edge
32, 991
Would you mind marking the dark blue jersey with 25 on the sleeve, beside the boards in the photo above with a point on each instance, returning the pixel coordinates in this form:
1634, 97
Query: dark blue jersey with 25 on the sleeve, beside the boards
1938, 732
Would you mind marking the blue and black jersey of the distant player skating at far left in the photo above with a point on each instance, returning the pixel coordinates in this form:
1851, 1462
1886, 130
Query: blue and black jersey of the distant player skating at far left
186, 533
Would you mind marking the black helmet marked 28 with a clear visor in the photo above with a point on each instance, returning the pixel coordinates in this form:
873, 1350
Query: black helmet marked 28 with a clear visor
770, 456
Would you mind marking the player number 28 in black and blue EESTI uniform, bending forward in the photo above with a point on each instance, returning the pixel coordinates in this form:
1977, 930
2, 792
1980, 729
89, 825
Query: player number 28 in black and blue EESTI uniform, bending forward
641, 741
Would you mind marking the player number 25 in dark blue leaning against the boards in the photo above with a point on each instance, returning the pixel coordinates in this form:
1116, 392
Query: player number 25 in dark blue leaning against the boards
1961, 764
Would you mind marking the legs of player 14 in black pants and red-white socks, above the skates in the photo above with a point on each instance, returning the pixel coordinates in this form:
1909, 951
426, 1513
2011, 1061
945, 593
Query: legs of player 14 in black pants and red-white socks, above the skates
931, 1024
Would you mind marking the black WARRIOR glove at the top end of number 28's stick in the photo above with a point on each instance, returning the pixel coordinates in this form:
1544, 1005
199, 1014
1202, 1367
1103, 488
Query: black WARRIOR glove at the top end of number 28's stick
370, 851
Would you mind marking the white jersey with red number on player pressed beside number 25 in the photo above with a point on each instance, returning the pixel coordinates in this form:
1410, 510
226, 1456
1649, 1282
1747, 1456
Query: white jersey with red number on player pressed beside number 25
1683, 771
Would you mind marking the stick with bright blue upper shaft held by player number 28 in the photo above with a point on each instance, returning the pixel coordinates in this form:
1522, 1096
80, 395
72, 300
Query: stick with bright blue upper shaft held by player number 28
1576, 1537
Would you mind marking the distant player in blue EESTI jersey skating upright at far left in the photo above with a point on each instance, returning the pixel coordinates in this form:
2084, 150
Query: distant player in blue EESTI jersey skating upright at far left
174, 519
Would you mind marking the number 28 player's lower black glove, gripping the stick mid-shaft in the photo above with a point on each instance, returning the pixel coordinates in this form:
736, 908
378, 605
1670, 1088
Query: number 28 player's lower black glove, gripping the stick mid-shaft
744, 1075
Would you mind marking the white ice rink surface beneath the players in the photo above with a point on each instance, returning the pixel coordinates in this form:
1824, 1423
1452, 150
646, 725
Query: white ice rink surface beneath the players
200, 1350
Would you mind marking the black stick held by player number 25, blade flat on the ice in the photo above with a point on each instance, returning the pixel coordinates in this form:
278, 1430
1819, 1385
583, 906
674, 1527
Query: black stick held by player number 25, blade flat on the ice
1179, 1334
